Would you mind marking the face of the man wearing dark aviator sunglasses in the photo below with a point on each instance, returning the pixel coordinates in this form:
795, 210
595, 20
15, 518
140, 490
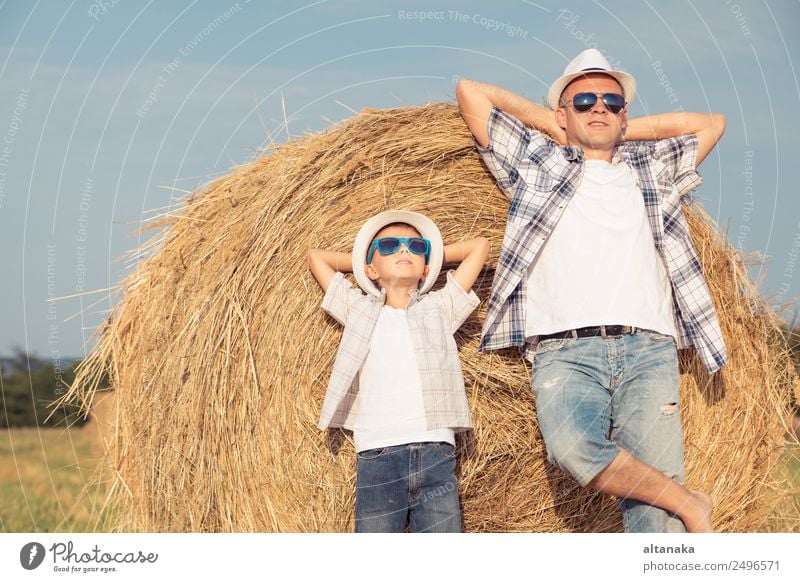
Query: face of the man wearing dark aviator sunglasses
598, 128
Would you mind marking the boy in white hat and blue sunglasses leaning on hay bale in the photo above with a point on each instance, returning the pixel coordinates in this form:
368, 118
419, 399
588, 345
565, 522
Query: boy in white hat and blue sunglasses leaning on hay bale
397, 380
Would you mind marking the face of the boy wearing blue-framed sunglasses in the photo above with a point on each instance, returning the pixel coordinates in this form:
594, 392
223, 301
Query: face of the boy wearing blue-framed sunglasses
402, 268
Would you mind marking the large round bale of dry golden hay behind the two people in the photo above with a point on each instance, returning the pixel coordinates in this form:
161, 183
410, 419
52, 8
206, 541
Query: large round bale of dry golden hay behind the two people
220, 353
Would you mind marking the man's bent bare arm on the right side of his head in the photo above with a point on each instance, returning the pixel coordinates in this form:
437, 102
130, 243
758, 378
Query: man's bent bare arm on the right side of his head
709, 128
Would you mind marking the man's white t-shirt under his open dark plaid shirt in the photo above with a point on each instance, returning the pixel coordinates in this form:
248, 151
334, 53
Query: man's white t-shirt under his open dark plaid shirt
600, 265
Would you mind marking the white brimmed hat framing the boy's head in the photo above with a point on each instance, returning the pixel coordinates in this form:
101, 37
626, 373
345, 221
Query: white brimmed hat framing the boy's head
424, 225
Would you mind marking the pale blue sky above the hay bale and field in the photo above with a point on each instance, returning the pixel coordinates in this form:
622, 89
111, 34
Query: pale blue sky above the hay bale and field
113, 108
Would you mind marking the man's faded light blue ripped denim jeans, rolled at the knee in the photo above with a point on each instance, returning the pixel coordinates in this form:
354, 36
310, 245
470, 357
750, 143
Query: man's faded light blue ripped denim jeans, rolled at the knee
596, 395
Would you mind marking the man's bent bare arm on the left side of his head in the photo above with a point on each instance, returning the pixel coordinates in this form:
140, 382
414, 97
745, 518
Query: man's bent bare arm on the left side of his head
475, 100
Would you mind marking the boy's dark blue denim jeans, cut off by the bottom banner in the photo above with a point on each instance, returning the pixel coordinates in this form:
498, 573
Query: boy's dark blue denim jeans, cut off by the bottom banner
410, 485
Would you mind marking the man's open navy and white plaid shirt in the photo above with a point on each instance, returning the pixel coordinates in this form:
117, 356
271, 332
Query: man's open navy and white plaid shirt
540, 177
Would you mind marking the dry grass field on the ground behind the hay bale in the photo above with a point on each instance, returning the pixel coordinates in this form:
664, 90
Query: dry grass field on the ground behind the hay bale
43, 474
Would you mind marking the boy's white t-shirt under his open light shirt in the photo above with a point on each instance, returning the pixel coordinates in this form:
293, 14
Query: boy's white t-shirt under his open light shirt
390, 407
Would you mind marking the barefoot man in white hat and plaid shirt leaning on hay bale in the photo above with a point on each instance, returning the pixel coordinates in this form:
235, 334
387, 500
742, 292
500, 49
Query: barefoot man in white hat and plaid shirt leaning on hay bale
598, 280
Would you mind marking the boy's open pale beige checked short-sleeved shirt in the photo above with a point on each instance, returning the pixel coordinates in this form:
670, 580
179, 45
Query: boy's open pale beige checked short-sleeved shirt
432, 320
